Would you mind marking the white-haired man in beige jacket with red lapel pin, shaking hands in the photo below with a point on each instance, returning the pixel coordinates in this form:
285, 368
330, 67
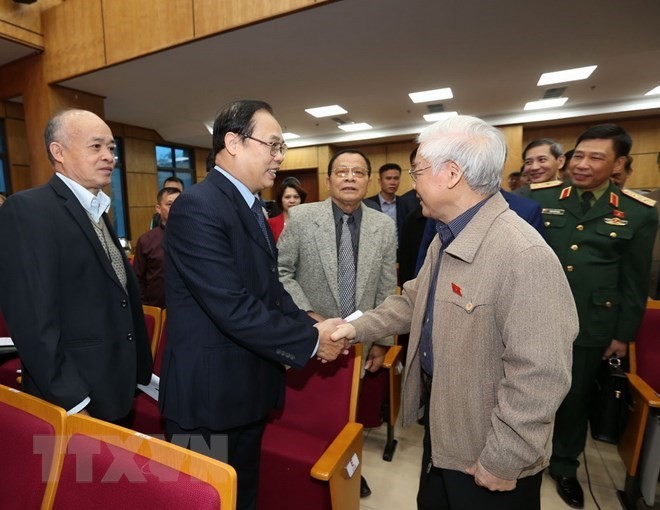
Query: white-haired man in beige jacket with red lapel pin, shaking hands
492, 321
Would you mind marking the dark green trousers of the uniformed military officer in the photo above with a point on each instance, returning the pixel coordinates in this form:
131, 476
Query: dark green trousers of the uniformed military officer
570, 434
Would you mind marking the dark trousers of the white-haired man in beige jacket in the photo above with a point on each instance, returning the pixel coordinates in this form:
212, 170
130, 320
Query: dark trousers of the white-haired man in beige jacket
445, 489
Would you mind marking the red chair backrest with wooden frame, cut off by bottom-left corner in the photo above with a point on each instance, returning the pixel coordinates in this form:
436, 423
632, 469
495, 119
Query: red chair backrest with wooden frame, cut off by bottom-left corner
31, 441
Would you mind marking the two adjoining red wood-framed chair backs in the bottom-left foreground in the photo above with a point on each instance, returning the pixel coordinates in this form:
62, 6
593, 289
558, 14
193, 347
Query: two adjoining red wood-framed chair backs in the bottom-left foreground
50, 460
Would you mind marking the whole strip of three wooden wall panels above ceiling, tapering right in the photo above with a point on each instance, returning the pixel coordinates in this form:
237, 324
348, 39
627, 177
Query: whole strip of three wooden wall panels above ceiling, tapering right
108, 32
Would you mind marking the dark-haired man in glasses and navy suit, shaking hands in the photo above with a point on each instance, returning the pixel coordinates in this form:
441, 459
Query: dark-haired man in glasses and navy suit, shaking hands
232, 328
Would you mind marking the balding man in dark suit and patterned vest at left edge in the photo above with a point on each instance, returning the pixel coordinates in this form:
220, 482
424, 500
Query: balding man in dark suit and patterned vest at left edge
67, 292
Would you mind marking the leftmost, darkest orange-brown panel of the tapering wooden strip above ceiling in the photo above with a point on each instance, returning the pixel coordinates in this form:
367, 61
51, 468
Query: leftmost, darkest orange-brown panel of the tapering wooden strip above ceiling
73, 33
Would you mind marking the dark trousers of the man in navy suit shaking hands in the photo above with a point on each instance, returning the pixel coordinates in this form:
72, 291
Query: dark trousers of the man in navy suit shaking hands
239, 447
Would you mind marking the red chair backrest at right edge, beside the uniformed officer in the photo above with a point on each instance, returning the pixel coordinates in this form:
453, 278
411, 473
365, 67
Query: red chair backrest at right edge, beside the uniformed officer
647, 347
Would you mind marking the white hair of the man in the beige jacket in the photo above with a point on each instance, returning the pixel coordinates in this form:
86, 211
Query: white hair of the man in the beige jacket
477, 147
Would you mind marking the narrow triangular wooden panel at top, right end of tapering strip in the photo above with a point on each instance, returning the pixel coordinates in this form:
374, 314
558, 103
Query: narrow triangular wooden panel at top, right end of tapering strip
213, 16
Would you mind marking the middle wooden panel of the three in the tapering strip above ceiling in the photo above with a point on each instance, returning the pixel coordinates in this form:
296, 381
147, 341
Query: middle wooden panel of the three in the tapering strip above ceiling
140, 27
